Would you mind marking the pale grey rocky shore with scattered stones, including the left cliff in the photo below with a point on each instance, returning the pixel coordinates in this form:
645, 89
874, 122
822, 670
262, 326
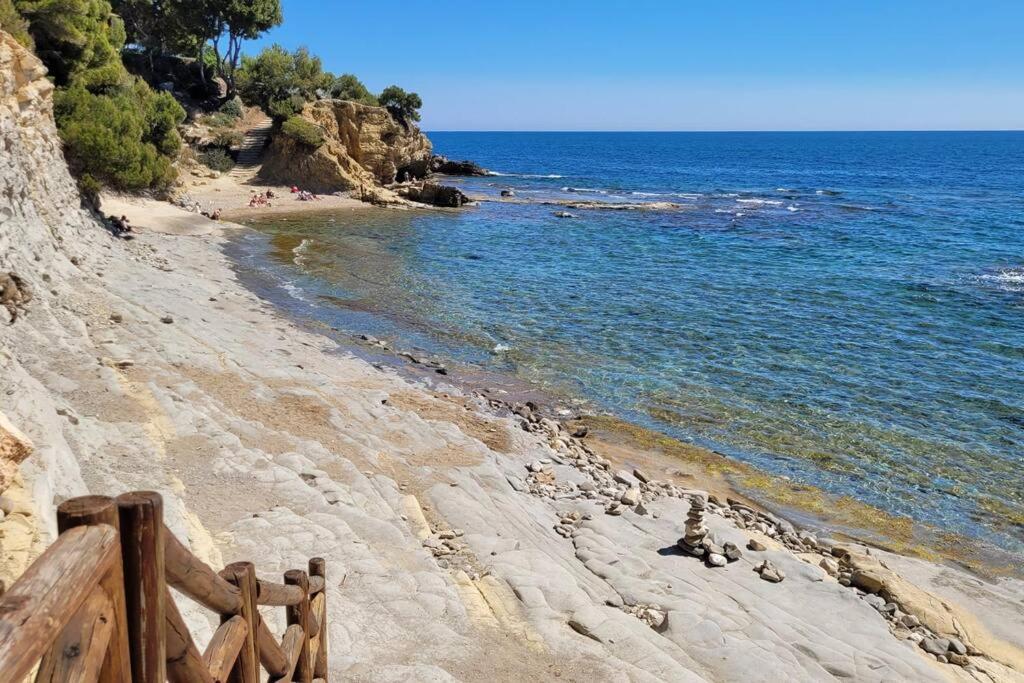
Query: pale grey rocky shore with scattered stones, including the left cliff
147, 365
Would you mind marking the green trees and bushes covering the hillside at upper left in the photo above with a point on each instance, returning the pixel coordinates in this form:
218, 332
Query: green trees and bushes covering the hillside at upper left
118, 133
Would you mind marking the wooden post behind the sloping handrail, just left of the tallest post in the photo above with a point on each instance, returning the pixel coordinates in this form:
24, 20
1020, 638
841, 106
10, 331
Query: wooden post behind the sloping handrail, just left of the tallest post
88, 511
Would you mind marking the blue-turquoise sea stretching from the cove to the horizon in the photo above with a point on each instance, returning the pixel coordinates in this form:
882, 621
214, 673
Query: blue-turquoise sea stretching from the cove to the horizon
843, 309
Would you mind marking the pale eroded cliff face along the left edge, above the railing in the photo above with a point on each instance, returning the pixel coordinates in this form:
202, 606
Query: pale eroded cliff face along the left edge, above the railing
40, 221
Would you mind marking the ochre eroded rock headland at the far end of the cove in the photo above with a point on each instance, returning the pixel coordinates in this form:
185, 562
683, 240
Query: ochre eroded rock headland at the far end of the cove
363, 147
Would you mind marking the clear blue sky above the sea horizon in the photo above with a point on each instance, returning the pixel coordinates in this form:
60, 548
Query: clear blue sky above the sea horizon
679, 65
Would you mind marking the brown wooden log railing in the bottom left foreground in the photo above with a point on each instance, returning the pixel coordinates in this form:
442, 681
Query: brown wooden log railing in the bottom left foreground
98, 607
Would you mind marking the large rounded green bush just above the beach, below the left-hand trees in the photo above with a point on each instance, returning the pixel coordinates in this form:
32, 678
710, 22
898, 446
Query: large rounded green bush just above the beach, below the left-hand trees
124, 141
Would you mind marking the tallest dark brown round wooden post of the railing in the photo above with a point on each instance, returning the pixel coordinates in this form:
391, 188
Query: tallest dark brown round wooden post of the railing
142, 517
